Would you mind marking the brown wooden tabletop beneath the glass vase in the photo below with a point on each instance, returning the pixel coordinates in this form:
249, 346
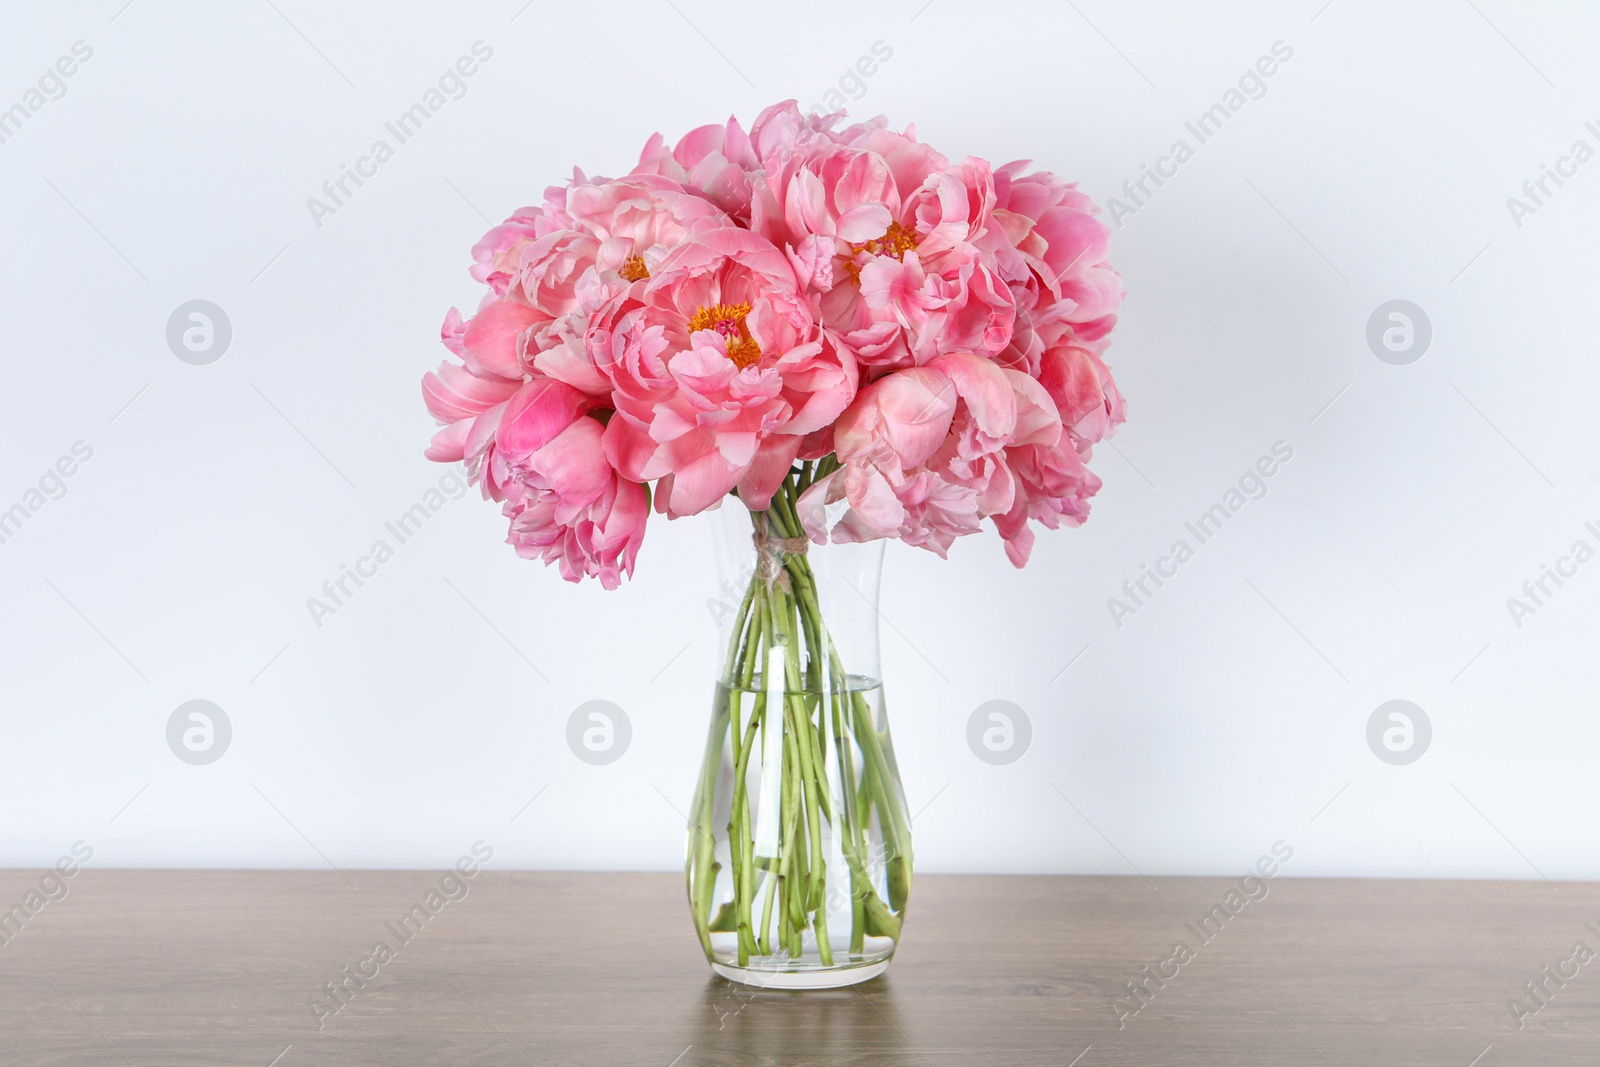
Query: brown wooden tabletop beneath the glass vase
222, 967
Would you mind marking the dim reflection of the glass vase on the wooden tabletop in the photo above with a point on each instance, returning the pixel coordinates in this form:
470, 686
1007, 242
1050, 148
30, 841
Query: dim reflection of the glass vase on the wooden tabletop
834, 1026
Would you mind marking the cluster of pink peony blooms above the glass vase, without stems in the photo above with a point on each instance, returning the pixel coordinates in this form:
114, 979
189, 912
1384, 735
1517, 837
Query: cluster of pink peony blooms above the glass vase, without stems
791, 313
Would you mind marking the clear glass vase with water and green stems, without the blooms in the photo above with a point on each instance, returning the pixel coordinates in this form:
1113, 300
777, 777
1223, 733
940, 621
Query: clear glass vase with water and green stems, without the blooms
799, 842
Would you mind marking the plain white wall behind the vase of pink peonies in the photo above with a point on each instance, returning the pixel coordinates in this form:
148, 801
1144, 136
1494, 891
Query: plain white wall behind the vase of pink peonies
1226, 714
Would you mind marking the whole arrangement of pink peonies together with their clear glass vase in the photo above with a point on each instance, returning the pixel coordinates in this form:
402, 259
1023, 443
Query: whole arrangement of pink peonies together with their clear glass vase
860, 340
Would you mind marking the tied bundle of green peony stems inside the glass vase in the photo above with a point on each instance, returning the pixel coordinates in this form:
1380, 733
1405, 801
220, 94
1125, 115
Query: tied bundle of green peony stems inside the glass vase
780, 628
